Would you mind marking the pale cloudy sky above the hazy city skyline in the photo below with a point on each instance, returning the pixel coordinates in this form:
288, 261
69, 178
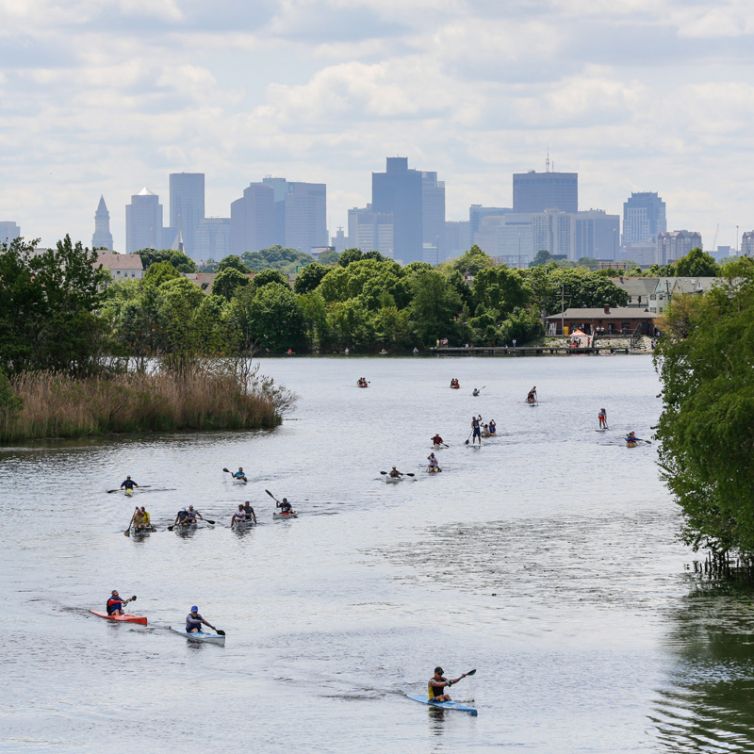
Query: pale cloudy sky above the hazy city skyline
108, 96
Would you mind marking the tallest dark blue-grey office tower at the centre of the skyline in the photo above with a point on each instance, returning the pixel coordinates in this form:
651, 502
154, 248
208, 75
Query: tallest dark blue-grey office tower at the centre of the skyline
398, 191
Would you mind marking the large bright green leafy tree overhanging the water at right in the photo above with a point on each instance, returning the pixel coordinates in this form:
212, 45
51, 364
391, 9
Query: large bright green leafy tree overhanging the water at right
704, 359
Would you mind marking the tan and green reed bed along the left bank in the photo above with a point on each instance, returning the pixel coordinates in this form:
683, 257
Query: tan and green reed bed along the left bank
56, 405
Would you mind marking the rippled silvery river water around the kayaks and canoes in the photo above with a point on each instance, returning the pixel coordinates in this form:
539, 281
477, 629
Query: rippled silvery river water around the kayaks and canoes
547, 559
